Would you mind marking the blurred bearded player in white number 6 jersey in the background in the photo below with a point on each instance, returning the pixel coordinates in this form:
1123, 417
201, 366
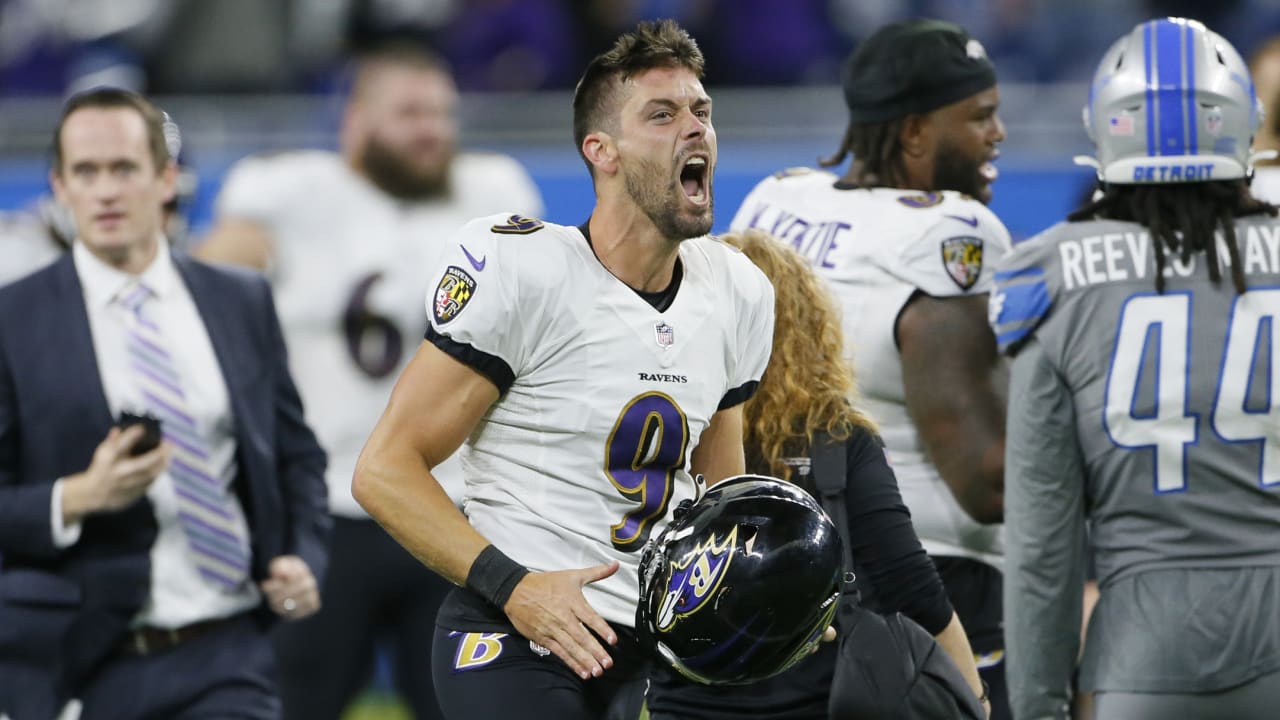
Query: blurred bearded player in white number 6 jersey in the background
348, 240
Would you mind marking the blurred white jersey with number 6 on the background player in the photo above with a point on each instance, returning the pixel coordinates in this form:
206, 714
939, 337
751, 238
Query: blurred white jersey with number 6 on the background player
345, 250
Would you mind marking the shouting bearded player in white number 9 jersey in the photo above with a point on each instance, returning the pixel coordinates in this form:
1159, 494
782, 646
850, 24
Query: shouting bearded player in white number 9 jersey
591, 373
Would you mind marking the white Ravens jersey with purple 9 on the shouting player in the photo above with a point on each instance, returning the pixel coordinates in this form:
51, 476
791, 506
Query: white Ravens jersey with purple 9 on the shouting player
604, 398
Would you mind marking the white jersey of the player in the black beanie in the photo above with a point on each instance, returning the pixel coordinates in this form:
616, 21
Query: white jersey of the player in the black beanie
877, 248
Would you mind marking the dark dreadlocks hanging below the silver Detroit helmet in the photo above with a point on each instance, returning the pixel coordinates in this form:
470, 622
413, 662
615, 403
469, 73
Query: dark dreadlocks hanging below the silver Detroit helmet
1196, 212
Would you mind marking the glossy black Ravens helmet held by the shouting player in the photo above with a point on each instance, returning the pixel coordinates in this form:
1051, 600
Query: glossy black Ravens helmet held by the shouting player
742, 584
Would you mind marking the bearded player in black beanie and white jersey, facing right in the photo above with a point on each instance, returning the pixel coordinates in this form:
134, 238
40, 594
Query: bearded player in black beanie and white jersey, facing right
907, 243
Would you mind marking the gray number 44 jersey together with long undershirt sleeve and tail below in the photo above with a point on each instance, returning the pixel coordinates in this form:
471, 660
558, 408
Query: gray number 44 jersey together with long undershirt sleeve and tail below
1153, 414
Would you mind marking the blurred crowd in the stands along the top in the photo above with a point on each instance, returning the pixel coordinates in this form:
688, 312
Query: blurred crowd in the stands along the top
245, 47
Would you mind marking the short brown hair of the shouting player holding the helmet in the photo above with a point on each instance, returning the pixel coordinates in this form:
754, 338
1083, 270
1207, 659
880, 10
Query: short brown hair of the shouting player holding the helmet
662, 44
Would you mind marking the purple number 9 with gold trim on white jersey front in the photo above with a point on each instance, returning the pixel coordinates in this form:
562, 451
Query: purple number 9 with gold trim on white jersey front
642, 457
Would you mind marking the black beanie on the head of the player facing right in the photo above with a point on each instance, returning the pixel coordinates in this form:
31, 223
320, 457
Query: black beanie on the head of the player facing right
913, 67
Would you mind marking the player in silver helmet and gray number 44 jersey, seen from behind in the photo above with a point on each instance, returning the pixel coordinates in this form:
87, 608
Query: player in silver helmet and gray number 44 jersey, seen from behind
1142, 400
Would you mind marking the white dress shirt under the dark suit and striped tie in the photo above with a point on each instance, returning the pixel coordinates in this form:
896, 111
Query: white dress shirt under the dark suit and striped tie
180, 596
